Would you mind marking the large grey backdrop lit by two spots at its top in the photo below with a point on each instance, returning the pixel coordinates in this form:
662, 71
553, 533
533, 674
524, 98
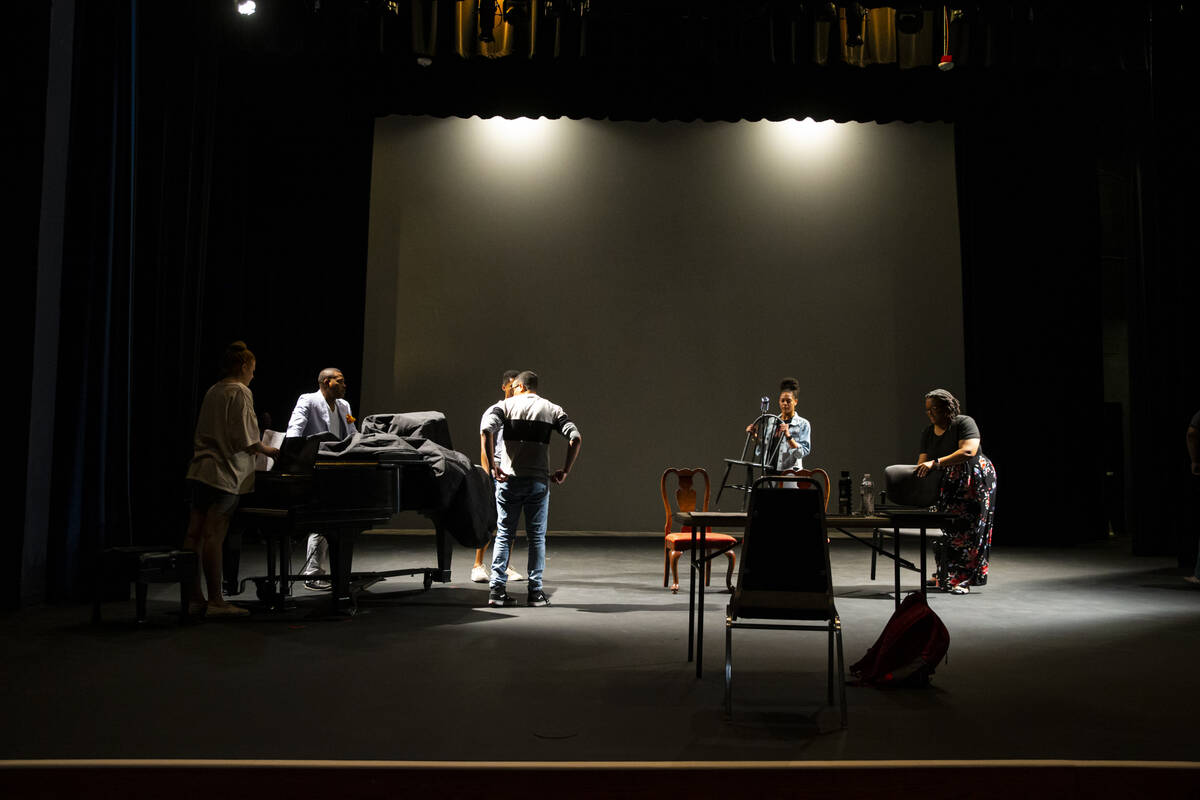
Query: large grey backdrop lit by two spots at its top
662, 278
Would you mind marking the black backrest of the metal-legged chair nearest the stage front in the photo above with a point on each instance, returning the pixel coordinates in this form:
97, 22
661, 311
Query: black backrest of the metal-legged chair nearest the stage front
785, 549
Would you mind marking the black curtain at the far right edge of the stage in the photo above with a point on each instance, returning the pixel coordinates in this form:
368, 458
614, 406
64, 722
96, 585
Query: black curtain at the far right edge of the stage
1163, 294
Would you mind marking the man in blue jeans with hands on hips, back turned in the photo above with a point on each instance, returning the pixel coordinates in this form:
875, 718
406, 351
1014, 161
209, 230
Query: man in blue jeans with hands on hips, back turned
524, 478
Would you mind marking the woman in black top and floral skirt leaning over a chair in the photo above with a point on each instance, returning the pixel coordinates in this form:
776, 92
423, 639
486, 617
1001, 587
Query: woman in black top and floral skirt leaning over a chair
968, 490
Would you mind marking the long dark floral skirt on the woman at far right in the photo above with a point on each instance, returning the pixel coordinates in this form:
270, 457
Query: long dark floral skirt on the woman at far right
969, 492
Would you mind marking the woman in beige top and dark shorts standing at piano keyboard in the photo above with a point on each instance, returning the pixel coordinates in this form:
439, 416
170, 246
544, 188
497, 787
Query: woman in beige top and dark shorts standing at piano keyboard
223, 470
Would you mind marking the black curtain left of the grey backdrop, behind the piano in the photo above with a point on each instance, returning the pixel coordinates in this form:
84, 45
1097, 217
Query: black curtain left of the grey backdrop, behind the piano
211, 199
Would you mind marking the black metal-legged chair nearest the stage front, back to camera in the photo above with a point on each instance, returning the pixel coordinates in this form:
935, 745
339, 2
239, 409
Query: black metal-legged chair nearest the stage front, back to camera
784, 575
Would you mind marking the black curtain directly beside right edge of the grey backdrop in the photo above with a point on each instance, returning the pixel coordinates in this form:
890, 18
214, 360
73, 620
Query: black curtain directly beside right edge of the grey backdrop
1031, 286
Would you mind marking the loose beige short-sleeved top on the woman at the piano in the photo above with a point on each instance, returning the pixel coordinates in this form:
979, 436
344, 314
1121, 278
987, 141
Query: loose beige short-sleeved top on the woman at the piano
227, 426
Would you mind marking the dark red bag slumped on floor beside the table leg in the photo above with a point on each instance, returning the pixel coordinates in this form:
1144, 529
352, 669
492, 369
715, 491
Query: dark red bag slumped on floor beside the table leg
913, 645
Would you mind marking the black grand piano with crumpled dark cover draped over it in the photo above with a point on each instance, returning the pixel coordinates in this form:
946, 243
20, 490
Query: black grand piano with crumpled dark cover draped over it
400, 462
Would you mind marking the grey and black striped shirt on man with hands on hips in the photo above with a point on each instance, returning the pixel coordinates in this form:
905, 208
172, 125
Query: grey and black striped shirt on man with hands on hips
527, 422
